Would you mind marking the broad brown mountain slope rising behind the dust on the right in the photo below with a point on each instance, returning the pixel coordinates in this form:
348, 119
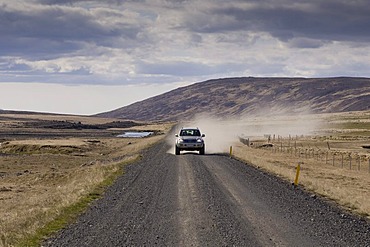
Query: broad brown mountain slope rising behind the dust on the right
237, 97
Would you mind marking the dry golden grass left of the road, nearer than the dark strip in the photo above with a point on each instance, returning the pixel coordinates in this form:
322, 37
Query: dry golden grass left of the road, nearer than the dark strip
41, 177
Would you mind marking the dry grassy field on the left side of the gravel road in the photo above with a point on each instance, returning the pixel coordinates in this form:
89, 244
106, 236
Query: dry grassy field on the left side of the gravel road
43, 176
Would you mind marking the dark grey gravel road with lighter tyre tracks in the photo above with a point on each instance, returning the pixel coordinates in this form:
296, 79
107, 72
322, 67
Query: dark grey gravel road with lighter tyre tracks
209, 200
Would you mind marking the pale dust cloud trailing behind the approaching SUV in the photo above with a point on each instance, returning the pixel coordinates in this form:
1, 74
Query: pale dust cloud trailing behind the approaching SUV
221, 134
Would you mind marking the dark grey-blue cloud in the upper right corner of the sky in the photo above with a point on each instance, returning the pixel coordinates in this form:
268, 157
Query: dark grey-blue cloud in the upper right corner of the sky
327, 20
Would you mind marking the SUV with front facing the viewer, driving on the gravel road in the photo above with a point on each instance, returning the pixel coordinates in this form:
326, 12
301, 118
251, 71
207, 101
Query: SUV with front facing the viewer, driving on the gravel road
190, 139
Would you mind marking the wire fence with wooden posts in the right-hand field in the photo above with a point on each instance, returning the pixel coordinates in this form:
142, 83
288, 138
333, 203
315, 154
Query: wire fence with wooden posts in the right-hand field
335, 158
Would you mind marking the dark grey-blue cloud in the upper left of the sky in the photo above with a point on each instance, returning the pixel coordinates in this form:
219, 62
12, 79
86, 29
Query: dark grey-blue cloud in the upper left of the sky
56, 30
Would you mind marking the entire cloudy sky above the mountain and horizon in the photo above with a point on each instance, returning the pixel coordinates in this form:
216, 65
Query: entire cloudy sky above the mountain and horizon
86, 57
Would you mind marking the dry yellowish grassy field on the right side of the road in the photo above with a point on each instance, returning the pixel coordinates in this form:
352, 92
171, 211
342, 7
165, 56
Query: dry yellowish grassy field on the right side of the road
333, 160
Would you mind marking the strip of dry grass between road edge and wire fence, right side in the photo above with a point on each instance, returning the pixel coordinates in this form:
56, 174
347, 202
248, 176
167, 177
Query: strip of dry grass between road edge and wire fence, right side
348, 188
